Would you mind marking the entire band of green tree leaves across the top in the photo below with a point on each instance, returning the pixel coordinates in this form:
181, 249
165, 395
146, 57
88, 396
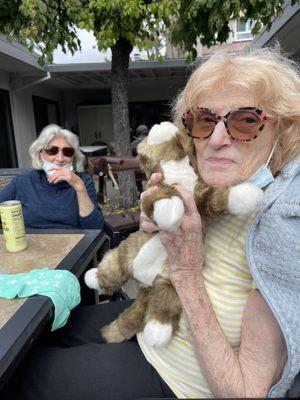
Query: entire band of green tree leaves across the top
144, 23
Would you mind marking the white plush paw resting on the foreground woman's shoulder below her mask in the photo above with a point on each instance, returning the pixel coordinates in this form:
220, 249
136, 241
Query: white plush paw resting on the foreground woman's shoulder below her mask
244, 198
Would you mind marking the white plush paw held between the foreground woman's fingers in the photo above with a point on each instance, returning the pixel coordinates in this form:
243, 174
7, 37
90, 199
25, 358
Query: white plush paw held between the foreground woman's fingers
168, 213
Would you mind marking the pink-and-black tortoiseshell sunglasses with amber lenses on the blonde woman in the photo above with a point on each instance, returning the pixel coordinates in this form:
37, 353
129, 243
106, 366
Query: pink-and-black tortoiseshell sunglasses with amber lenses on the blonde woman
242, 124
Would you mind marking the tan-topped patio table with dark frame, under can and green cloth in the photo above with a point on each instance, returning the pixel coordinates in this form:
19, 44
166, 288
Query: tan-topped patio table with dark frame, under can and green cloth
22, 320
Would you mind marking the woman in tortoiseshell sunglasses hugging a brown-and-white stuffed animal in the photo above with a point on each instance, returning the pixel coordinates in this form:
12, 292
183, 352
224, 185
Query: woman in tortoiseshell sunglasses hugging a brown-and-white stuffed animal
236, 274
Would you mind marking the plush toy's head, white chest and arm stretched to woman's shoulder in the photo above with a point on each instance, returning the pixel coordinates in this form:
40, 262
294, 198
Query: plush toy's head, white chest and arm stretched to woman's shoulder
171, 152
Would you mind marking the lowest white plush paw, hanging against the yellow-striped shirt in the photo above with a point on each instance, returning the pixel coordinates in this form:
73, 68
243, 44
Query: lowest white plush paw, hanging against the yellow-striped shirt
157, 334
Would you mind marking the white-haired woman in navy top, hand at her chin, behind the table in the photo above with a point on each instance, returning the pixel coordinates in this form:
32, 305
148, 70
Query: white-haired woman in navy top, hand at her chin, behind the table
56, 194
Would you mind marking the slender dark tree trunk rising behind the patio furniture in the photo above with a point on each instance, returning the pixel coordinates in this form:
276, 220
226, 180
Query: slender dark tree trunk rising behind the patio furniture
120, 116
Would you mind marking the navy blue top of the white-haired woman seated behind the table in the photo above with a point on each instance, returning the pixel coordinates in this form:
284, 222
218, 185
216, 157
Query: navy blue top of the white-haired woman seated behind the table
51, 206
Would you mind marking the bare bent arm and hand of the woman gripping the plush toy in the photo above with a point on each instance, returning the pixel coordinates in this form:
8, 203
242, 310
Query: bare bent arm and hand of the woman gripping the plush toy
248, 372
